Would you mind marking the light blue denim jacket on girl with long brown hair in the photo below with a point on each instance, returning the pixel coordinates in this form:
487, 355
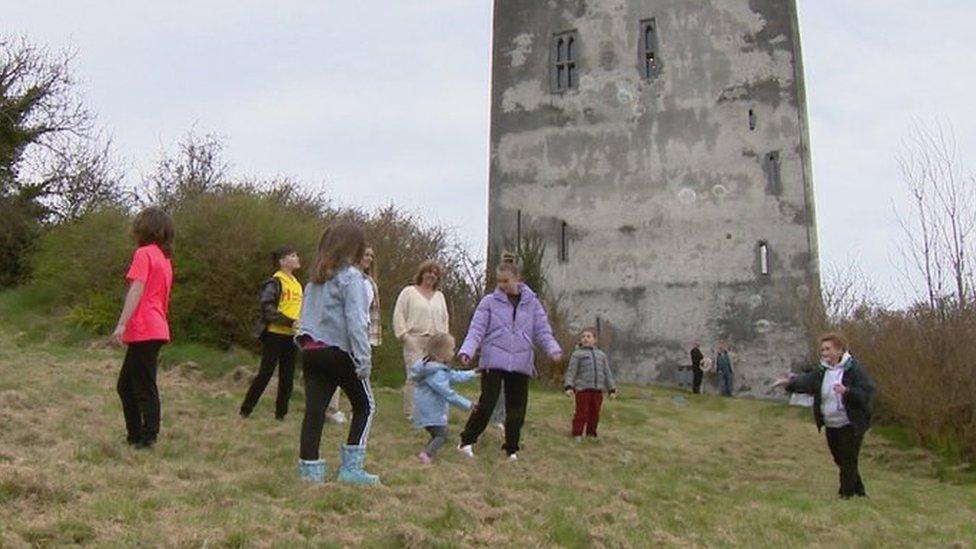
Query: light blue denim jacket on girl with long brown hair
336, 313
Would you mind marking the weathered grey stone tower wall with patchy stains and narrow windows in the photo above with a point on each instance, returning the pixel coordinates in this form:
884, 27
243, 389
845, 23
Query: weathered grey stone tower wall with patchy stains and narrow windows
662, 183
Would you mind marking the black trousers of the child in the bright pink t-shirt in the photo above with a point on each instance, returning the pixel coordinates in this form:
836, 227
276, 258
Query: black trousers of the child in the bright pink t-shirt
138, 391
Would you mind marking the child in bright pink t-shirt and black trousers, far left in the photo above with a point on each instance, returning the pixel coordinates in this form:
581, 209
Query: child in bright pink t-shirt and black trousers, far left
143, 325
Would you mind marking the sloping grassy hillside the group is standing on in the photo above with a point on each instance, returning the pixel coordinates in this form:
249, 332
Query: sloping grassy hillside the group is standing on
685, 472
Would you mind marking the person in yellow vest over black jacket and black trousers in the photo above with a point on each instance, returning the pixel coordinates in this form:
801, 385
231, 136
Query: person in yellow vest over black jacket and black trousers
281, 302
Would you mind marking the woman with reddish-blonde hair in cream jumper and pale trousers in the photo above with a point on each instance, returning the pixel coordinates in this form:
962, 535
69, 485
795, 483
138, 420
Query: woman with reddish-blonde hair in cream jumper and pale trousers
419, 313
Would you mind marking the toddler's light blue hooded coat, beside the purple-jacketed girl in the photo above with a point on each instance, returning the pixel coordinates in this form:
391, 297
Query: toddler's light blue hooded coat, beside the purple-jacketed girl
433, 394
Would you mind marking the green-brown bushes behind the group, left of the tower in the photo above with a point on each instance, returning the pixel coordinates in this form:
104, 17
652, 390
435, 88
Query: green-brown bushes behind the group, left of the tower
224, 239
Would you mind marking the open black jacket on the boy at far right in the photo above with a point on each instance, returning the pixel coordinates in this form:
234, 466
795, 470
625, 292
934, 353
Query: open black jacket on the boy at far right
857, 400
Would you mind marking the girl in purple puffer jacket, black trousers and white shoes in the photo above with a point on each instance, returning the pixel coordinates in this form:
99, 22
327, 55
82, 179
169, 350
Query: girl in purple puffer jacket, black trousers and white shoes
506, 327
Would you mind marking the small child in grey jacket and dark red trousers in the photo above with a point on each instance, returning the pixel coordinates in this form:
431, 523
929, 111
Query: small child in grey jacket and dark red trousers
587, 376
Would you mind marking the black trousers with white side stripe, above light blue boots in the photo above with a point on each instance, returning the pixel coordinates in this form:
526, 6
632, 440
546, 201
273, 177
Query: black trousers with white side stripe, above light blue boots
325, 370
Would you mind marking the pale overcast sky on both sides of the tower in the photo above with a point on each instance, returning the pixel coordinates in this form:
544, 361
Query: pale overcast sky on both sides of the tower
388, 101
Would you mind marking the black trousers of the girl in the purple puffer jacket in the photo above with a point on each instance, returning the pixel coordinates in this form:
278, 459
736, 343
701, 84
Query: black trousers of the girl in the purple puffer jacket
516, 387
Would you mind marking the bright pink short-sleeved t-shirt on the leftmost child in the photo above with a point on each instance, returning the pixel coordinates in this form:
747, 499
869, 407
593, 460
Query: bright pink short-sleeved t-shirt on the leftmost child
149, 321
